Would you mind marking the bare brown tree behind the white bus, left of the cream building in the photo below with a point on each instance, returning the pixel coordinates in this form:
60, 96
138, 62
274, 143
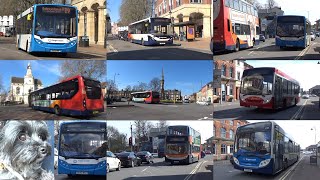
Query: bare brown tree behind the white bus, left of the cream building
134, 10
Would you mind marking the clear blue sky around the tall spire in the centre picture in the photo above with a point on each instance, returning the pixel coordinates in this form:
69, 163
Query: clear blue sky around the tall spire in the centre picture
184, 75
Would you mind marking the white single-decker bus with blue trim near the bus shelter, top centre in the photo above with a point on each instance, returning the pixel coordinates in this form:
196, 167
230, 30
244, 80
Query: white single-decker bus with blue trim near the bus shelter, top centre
150, 31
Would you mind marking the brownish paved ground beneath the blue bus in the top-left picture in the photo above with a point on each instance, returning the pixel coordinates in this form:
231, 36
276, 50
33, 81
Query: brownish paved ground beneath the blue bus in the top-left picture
9, 51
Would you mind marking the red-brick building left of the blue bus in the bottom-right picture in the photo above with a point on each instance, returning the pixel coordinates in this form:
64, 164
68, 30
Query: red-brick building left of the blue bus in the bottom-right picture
223, 137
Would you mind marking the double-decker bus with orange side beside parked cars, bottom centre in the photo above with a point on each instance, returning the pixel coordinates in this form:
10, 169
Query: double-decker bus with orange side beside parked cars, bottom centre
182, 145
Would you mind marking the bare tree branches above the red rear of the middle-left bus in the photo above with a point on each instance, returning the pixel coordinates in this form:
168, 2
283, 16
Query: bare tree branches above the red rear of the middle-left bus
90, 68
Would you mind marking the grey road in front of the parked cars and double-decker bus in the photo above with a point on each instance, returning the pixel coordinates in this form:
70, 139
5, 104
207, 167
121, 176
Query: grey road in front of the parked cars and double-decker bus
161, 170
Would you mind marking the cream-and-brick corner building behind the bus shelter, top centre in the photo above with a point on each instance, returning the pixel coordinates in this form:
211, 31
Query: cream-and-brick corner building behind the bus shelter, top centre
184, 12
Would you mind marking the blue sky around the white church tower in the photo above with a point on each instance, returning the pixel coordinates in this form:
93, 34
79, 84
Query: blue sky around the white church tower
47, 71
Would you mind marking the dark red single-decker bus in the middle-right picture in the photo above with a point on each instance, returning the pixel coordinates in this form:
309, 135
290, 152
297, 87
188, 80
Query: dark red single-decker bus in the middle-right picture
268, 88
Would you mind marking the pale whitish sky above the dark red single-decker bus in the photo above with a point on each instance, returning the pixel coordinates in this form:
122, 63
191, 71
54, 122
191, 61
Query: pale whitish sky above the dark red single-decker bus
307, 72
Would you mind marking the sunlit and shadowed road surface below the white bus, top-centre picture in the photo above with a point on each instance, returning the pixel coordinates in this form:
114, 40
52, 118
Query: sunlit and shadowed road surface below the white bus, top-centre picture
180, 50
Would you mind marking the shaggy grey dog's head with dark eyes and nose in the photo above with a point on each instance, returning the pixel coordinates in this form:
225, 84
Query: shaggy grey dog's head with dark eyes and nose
23, 147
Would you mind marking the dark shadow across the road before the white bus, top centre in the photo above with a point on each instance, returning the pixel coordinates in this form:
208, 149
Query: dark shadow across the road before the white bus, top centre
166, 53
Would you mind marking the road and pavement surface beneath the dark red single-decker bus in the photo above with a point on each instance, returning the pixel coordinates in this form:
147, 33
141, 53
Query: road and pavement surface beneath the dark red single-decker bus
306, 109
